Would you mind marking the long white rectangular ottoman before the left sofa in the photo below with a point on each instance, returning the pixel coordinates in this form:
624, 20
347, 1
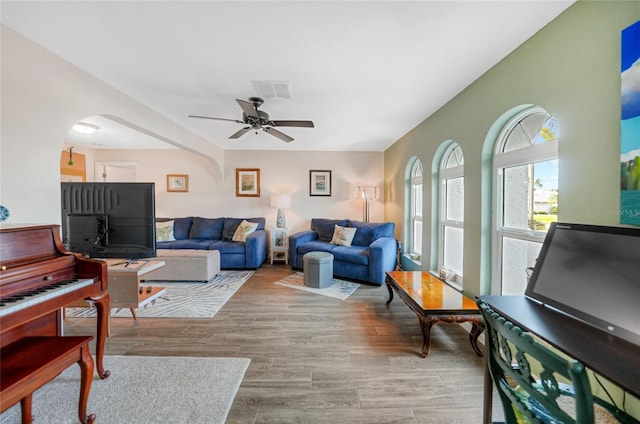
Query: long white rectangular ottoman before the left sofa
186, 265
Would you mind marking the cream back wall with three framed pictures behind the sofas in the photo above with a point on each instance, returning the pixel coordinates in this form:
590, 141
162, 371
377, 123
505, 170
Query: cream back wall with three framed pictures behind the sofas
211, 195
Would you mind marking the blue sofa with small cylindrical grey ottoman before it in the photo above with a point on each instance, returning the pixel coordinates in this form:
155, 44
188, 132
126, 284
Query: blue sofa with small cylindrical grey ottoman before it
373, 250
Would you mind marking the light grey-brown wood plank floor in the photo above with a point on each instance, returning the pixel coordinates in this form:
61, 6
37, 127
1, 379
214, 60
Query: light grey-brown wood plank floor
319, 360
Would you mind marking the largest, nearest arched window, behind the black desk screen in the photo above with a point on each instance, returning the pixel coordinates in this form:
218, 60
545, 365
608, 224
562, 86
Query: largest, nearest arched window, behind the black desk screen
525, 174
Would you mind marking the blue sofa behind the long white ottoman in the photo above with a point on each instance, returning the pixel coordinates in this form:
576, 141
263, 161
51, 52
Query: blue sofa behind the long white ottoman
216, 234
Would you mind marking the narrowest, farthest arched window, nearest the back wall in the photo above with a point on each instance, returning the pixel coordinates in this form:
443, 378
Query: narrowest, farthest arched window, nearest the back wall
414, 215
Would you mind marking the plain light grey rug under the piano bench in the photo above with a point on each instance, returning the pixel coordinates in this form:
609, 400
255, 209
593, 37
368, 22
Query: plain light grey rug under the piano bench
143, 389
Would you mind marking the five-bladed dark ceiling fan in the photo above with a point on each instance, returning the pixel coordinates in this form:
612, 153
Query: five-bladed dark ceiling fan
257, 119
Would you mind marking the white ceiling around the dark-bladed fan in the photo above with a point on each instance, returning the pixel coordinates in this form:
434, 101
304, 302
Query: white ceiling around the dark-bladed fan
364, 72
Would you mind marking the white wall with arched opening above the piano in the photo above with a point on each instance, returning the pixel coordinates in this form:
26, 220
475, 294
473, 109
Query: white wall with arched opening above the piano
42, 97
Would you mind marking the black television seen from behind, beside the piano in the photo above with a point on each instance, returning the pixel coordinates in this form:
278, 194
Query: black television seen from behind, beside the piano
109, 220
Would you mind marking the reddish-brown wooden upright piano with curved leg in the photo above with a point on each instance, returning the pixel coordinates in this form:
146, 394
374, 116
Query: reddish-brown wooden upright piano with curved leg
38, 277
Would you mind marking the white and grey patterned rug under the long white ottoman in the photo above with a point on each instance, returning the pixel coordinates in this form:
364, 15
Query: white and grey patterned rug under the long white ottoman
183, 299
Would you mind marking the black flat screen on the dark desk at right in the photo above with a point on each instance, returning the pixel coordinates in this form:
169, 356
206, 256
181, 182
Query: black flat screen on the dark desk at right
591, 273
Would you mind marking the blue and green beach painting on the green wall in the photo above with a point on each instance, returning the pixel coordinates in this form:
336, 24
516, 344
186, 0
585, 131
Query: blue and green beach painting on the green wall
630, 126
